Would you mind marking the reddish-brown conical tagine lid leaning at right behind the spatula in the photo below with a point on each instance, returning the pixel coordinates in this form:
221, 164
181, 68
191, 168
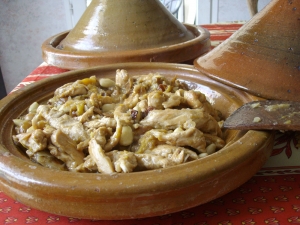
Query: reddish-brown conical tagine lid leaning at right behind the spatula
263, 56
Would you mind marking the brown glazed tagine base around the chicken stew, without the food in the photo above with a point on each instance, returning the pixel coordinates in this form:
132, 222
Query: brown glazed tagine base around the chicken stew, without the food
139, 194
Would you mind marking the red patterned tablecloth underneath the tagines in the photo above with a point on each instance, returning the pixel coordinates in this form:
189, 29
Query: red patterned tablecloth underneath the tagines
271, 197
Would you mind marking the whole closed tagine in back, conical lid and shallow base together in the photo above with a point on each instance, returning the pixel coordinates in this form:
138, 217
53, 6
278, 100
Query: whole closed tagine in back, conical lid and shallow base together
125, 31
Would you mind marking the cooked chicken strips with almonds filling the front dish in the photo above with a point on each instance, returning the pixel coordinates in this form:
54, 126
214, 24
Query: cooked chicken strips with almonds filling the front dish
129, 124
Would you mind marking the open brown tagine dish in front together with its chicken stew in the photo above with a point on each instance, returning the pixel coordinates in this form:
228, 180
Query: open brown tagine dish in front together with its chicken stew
158, 160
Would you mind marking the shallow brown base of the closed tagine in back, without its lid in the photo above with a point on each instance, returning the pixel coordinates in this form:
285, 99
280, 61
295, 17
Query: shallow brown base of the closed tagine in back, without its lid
180, 52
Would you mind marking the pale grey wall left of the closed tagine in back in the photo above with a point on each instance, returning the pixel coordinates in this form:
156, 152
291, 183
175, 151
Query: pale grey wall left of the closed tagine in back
24, 25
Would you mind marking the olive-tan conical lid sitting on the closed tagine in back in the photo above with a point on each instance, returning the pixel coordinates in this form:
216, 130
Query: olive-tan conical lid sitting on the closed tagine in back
114, 25
